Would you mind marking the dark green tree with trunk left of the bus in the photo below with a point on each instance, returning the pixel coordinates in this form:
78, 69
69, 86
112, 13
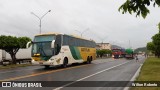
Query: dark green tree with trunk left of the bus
12, 44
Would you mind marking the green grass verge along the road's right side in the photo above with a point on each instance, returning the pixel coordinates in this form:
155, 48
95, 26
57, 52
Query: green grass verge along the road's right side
150, 71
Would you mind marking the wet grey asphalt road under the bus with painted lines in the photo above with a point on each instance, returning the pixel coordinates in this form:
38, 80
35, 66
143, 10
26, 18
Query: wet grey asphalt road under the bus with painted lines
99, 70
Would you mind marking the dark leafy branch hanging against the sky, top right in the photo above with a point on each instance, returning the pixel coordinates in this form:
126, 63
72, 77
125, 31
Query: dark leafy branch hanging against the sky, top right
140, 7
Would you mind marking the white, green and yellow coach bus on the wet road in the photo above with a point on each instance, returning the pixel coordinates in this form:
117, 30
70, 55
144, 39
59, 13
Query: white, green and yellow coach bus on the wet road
61, 49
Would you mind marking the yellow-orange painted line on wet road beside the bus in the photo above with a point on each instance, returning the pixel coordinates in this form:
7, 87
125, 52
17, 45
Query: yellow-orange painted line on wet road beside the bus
41, 73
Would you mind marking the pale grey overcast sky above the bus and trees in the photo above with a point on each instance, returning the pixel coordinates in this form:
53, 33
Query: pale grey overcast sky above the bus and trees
100, 18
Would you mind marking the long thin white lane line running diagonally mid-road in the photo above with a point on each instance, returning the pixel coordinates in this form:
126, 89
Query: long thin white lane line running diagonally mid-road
58, 88
